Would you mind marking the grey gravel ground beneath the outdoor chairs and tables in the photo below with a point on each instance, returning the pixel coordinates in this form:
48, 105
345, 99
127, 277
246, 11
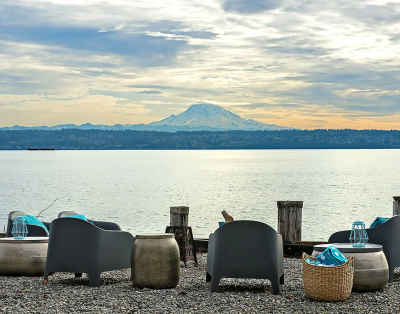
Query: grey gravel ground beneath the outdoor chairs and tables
66, 294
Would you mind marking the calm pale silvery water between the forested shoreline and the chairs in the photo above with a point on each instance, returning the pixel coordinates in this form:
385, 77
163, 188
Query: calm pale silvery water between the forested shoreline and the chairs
136, 188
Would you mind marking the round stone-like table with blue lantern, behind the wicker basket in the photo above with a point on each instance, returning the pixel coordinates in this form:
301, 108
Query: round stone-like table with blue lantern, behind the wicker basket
371, 271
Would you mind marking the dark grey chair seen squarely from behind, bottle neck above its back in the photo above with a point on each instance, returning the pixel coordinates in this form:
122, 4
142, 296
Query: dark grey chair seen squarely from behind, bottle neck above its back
245, 249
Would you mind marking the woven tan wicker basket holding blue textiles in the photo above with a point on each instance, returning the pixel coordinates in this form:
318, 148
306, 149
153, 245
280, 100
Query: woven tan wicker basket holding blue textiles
333, 283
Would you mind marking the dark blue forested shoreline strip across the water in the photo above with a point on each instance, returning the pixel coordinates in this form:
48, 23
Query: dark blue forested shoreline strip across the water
74, 139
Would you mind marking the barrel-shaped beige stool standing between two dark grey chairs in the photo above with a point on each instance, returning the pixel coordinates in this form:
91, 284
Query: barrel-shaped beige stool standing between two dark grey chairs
155, 261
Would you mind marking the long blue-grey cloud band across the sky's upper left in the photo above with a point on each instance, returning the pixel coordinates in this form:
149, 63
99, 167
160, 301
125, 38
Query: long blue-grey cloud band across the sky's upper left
138, 48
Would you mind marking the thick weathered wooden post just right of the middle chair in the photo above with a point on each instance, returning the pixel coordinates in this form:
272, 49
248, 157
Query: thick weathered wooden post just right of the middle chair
289, 220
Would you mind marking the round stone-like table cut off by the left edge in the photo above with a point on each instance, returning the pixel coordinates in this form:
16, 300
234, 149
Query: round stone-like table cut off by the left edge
25, 257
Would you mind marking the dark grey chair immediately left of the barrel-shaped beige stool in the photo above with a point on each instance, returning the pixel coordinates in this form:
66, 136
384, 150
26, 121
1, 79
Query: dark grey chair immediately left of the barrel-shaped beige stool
78, 246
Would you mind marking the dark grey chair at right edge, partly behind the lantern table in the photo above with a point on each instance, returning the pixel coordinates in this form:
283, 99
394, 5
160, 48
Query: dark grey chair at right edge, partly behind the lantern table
386, 234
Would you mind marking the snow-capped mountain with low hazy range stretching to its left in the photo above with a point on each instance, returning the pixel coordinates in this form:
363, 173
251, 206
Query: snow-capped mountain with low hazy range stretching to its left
198, 117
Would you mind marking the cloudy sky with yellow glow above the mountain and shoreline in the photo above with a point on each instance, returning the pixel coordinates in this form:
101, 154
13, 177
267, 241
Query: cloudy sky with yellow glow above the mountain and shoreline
307, 64
